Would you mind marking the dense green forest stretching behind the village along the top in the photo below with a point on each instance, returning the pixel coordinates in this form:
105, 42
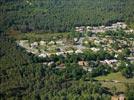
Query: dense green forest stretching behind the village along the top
62, 15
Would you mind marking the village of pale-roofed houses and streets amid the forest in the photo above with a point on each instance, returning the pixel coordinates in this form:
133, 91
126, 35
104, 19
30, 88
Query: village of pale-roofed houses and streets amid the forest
94, 42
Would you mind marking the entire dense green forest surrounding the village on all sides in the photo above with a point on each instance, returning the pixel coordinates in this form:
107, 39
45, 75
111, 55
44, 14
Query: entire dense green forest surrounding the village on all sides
23, 76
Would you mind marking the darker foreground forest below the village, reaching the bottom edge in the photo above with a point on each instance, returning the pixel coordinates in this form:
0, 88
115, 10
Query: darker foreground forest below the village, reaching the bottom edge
24, 77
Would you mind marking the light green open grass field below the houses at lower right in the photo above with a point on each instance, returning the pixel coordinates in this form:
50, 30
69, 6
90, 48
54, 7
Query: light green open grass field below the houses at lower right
120, 85
